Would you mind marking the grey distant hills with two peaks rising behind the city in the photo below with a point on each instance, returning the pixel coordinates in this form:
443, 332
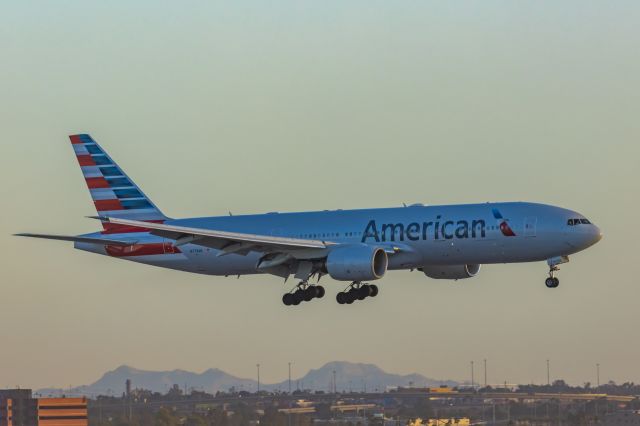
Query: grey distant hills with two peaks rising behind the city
349, 376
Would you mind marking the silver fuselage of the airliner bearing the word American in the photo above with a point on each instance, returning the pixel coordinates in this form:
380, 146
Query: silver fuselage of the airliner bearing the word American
420, 236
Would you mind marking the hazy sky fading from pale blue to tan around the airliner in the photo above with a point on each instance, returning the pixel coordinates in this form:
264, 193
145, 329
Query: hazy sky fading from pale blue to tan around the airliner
278, 106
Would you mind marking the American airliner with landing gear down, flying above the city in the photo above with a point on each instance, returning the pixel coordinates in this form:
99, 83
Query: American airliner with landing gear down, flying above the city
448, 242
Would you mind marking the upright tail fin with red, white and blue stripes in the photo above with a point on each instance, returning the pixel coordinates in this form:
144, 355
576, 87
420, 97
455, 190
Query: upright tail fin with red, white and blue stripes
113, 193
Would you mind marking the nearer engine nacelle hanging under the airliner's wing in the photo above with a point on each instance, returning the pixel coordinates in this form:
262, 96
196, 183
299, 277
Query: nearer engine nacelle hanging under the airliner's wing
358, 262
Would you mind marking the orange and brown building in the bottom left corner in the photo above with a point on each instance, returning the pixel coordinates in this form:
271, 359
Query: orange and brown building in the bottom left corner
19, 408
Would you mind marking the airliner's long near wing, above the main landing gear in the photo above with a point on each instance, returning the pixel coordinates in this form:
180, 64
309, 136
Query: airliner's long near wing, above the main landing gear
227, 242
